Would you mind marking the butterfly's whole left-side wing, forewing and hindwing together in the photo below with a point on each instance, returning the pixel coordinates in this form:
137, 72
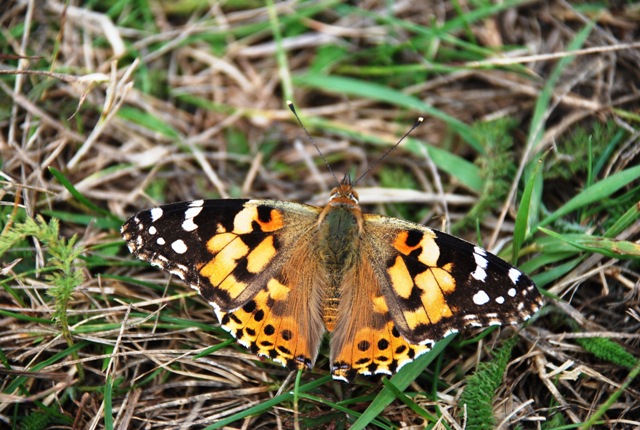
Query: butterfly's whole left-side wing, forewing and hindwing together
249, 260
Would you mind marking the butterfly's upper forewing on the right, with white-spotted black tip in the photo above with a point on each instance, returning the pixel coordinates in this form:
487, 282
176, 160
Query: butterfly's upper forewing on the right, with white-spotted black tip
437, 284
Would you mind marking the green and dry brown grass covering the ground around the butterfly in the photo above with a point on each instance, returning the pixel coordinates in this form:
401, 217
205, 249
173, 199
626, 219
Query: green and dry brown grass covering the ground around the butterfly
529, 147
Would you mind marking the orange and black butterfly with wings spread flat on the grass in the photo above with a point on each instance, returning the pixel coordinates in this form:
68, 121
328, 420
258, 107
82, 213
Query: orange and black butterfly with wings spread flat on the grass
280, 274
